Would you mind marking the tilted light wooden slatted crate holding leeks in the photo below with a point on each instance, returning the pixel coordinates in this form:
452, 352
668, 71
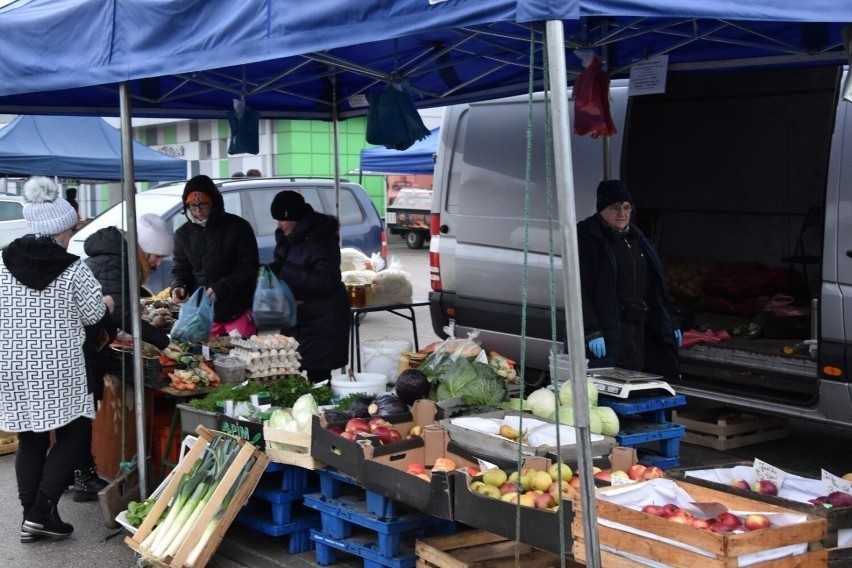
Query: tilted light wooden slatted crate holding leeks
246, 452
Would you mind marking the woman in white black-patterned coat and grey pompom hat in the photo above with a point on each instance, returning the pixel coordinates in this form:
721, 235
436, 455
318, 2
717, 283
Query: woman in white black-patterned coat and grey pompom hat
47, 296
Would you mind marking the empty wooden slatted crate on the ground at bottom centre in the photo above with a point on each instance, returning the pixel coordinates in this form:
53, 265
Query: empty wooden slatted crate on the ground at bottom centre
482, 549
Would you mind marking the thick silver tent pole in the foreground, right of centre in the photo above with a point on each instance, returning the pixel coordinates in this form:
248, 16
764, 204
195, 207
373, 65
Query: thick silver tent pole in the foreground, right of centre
573, 302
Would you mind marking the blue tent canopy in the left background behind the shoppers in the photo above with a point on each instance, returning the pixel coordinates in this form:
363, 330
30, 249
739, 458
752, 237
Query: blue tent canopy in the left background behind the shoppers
84, 147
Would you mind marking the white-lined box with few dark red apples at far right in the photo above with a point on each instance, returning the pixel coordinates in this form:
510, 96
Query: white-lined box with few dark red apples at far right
836, 519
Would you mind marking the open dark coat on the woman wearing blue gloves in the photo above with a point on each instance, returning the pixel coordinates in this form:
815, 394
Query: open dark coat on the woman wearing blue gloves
601, 310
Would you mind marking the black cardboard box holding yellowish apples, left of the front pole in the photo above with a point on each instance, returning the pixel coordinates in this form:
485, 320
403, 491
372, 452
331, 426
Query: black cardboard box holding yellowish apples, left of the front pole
538, 527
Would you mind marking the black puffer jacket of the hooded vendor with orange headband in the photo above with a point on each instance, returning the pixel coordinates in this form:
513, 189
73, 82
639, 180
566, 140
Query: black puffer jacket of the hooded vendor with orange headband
221, 255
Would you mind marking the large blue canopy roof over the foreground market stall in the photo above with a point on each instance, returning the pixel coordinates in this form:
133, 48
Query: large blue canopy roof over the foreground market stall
191, 58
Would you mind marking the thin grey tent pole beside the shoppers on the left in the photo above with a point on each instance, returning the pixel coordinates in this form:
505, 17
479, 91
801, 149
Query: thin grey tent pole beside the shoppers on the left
129, 191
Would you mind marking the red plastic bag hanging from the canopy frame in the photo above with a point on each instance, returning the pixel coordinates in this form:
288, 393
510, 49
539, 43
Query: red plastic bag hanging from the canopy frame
591, 102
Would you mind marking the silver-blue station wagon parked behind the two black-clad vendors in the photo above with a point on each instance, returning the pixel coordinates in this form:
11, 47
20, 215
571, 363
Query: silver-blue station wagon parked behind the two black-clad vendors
360, 224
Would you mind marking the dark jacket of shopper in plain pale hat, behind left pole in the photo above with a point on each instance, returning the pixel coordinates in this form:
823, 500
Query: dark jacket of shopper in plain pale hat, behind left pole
107, 257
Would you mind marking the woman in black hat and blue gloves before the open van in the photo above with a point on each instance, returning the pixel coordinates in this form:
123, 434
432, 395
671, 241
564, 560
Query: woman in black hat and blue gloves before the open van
626, 312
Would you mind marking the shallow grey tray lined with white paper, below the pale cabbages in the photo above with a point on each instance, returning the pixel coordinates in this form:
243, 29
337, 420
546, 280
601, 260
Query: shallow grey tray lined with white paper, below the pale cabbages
499, 447
